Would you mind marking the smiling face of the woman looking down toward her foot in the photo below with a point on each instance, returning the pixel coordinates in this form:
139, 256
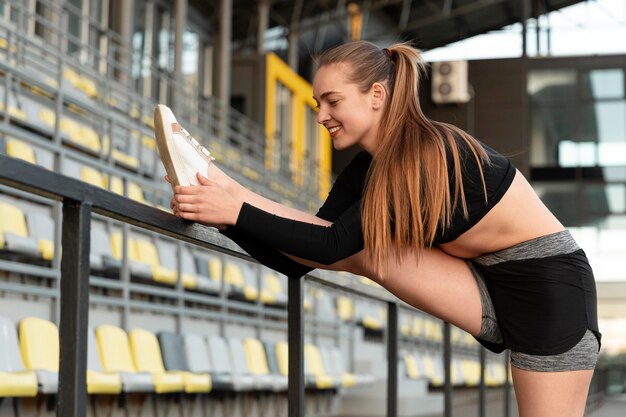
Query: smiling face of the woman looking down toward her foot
350, 115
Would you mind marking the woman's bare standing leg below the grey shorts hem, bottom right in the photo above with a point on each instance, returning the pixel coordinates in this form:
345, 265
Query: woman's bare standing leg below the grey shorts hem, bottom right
549, 394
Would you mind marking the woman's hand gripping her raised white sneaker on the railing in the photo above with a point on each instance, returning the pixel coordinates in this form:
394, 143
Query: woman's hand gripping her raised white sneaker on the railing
211, 203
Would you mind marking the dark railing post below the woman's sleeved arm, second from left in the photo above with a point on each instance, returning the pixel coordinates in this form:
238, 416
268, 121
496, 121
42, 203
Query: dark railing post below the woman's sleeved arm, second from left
295, 323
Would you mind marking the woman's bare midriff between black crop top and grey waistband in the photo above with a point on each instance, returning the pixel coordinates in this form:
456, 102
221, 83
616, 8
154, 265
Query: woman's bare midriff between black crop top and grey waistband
519, 216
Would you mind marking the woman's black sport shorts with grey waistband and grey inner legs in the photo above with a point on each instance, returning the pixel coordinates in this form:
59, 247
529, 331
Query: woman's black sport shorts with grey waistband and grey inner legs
566, 354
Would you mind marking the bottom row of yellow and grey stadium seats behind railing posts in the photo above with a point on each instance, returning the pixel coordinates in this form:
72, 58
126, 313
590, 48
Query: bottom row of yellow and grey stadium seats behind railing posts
142, 361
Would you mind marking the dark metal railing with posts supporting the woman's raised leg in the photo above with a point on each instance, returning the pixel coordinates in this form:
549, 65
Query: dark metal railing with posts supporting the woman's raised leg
79, 200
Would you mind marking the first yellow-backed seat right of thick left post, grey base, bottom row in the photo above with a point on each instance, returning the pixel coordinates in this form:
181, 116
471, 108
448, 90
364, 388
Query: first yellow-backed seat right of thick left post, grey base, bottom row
115, 356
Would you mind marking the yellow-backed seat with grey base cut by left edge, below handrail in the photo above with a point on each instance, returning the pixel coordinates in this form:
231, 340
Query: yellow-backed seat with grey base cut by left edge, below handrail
14, 237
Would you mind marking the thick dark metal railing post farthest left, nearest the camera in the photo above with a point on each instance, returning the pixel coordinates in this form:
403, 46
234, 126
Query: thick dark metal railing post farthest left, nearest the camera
76, 240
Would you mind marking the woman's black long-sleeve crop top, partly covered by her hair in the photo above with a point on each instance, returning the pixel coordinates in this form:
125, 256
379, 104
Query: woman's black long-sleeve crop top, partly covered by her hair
329, 244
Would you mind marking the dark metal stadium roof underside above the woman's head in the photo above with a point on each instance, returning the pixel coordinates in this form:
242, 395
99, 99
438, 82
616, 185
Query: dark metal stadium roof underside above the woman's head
427, 23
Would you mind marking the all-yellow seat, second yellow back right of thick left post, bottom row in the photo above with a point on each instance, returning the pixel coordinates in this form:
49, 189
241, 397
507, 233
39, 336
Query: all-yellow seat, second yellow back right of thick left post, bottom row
146, 352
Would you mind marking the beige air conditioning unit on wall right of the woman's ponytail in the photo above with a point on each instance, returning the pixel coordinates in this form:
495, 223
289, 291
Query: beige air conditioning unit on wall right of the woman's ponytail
449, 82
